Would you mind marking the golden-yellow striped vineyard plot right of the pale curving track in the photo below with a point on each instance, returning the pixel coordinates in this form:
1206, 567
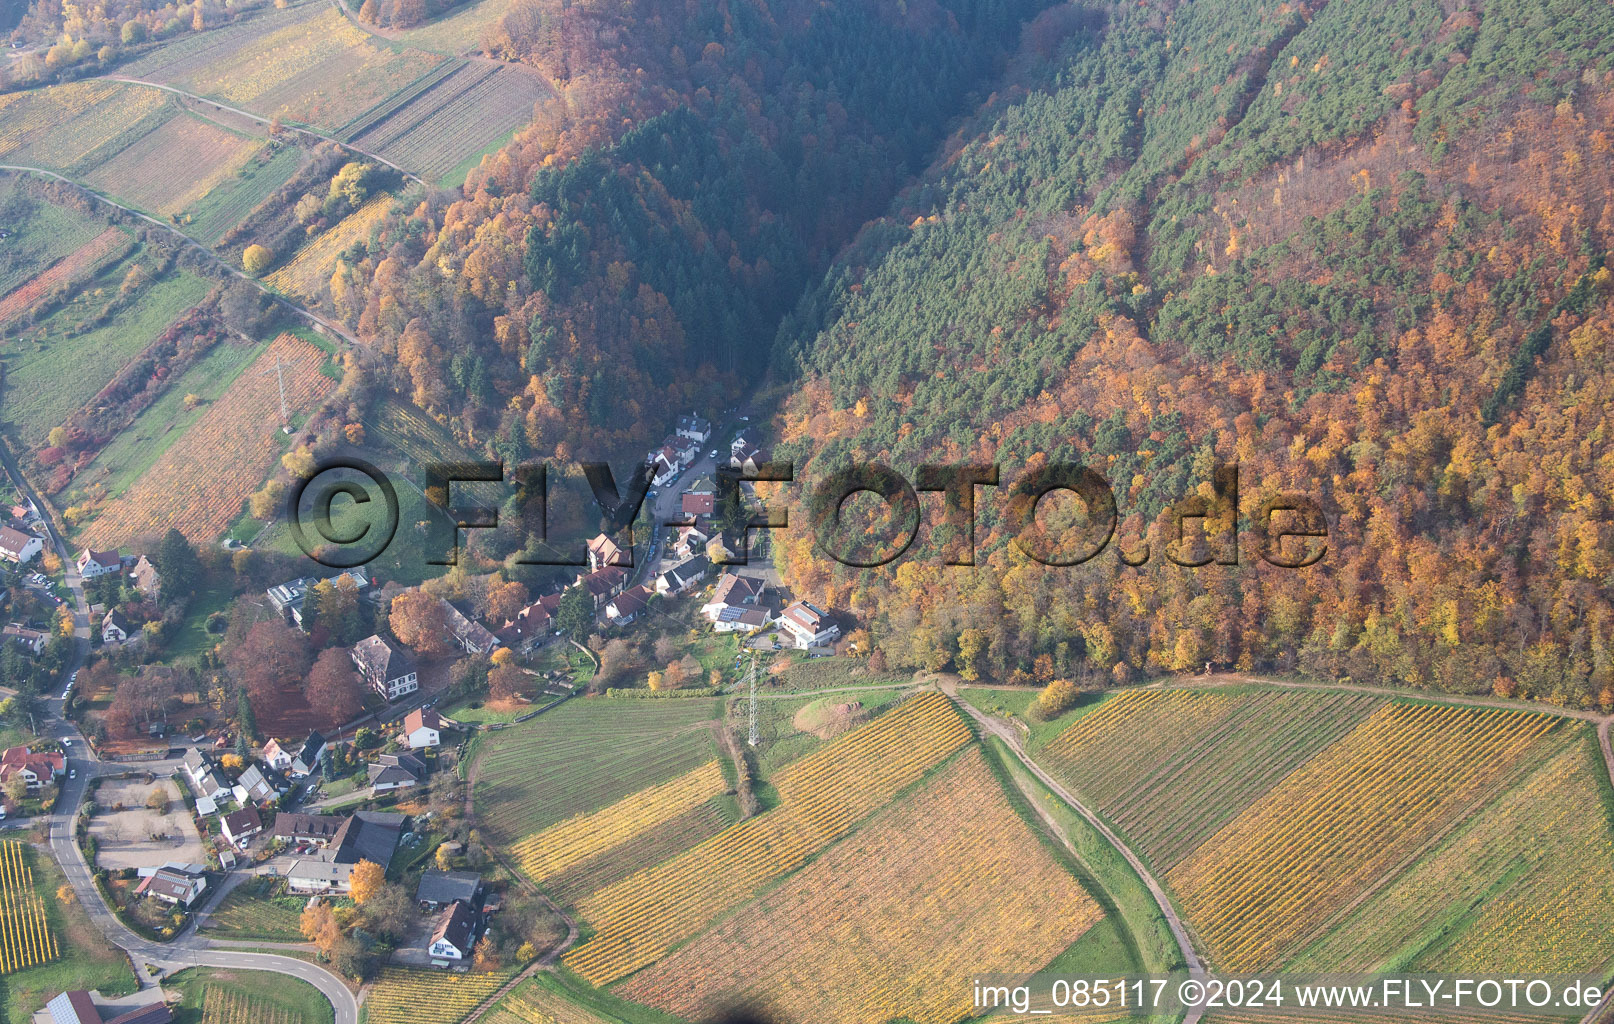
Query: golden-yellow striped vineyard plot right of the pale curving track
1258, 889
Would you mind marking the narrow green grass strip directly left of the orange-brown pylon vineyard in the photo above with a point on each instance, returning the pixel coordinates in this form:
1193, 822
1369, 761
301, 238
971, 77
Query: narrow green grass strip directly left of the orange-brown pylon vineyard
165, 421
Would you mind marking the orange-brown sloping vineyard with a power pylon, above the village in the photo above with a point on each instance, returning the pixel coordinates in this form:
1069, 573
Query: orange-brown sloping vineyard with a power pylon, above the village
238, 439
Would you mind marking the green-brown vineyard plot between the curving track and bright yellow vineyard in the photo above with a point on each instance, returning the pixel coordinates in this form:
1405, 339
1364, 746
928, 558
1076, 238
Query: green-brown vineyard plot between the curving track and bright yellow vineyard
1171, 766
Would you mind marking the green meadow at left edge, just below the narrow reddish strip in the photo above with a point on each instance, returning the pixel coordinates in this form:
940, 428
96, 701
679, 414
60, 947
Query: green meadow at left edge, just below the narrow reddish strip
54, 367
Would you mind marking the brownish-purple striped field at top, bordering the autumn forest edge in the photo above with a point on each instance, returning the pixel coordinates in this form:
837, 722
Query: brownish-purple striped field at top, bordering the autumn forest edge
466, 115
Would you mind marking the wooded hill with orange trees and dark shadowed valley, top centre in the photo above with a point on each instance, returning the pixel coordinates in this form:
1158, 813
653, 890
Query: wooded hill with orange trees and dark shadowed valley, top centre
635, 250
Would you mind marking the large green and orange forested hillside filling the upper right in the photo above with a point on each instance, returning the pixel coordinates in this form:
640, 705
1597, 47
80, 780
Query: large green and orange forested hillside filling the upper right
1355, 248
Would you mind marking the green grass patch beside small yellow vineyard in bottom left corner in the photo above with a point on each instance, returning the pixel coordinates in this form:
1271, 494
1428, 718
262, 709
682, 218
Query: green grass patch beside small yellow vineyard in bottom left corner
85, 960
